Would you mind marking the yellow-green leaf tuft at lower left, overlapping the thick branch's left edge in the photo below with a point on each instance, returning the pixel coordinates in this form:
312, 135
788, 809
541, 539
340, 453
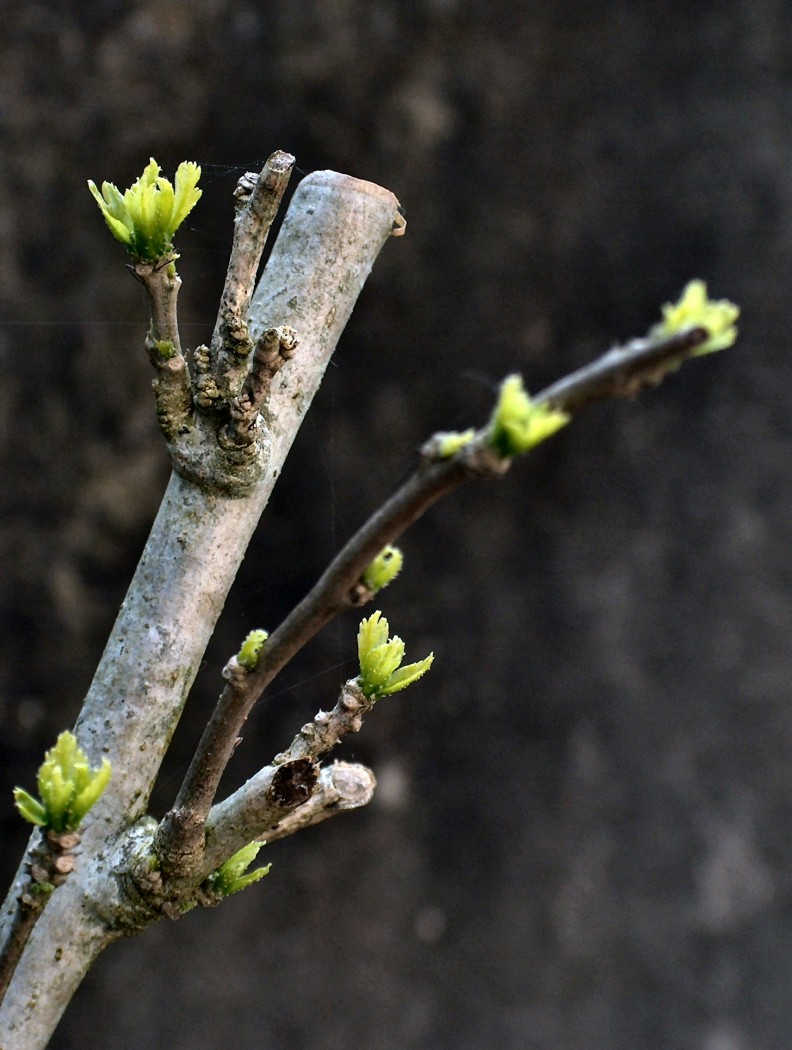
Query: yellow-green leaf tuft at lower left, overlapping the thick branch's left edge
68, 788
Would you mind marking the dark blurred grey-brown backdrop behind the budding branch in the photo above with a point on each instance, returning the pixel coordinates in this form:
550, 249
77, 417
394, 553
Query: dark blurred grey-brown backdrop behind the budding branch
582, 837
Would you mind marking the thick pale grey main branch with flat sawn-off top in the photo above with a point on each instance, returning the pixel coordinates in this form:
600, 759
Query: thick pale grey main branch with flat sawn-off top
331, 237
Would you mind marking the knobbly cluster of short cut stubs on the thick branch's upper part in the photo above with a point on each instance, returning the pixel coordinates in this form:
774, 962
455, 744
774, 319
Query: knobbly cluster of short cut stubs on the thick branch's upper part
210, 414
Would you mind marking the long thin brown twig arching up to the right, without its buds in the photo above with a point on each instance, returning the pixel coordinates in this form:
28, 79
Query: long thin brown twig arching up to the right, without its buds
619, 373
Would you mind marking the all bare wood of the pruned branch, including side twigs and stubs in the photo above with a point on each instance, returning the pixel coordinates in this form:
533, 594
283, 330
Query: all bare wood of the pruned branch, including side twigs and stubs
137, 872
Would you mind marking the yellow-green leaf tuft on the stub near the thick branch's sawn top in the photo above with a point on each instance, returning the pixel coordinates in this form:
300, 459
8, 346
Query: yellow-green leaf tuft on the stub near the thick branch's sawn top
147, 217
